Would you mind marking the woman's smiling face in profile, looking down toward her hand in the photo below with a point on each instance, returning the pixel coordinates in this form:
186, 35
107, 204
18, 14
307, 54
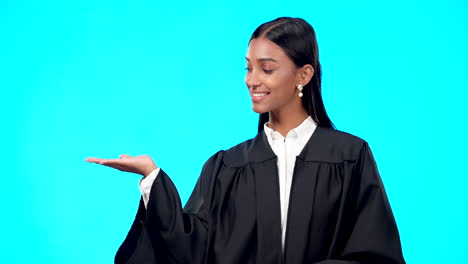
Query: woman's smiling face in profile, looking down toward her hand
271, 77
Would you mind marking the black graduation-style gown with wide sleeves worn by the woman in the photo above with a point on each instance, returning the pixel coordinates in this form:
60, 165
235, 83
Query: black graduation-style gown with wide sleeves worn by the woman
338, 210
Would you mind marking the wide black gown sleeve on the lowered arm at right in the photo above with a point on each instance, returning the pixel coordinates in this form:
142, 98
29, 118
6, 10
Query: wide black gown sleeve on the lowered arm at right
373, 236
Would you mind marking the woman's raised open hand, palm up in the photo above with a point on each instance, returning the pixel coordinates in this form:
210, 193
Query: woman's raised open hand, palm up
142, 164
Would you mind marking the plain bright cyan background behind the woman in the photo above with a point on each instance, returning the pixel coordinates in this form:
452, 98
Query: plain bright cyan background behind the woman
102, 78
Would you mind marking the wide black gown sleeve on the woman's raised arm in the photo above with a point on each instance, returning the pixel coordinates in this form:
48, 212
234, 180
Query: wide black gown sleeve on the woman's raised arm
166, 233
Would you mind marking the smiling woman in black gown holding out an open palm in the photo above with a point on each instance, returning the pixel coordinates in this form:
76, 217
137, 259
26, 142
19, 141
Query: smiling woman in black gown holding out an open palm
299, 192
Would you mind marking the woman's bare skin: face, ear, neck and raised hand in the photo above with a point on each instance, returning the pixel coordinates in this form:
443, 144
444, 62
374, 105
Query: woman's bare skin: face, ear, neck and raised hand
272, 79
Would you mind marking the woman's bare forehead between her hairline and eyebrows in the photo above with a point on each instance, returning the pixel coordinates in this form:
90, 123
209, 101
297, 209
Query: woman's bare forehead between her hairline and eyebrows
260, 48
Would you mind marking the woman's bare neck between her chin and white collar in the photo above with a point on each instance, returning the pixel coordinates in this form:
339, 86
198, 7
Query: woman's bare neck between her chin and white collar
284, 121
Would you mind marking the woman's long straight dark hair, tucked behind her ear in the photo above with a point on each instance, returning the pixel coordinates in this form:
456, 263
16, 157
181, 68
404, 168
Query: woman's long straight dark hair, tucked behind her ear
297, 38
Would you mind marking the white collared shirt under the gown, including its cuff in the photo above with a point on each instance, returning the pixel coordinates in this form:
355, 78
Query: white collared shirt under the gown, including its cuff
285, 148
